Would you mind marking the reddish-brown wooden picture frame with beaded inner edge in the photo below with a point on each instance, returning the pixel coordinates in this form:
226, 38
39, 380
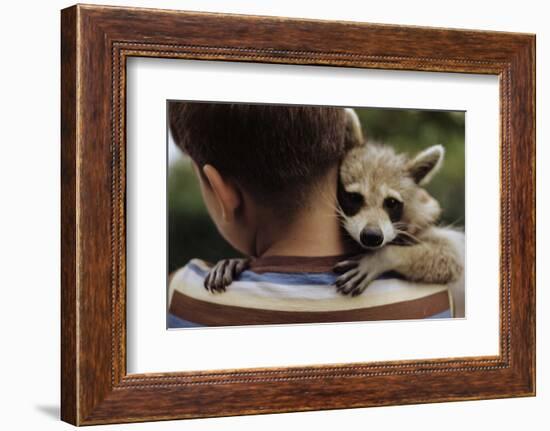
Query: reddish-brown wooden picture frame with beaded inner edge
95, 43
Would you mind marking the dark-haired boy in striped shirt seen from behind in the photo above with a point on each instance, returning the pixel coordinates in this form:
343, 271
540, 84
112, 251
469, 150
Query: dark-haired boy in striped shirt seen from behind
268, 176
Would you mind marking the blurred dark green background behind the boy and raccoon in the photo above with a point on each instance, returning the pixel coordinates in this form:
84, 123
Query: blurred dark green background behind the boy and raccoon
192, 234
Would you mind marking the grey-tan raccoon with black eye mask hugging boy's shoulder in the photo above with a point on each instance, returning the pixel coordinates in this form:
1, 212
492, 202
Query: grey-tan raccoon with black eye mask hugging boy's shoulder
385, 209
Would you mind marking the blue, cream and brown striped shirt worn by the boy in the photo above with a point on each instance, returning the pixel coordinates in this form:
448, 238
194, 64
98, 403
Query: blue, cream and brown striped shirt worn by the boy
285, 290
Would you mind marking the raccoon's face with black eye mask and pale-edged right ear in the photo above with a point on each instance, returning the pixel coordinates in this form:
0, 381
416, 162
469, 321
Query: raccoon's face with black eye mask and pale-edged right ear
380, 197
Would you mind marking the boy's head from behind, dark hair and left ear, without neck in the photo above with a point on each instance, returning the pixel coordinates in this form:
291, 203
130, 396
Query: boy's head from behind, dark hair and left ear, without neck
269, 157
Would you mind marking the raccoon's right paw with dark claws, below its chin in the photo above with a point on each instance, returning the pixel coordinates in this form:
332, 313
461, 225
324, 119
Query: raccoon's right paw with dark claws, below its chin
356, 276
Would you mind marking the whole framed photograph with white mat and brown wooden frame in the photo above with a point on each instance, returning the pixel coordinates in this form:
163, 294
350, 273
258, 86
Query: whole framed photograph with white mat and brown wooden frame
264, 214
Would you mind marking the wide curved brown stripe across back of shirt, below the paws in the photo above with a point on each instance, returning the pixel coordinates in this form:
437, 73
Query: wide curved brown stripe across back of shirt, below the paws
212, 314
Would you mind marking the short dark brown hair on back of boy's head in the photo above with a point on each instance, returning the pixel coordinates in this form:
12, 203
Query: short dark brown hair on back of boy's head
273, 151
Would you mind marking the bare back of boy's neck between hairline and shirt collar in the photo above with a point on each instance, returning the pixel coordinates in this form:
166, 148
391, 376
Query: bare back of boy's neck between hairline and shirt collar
314, 231
